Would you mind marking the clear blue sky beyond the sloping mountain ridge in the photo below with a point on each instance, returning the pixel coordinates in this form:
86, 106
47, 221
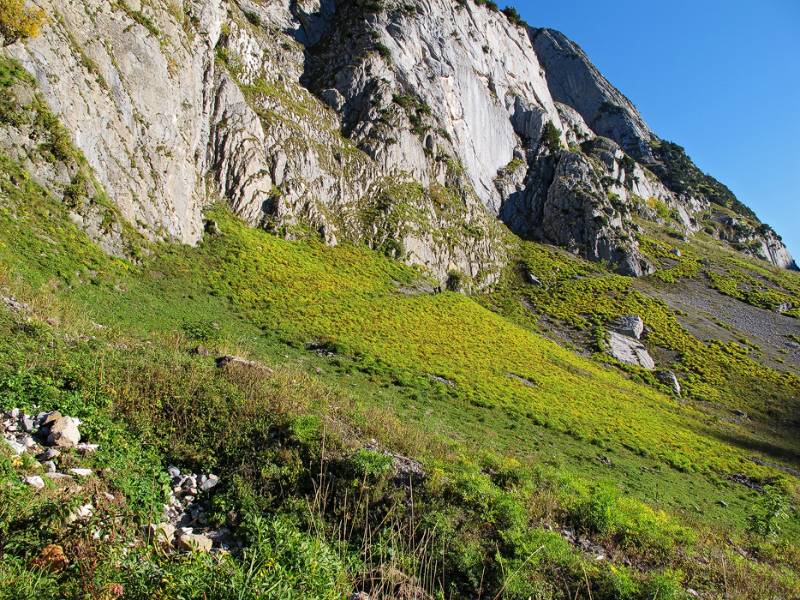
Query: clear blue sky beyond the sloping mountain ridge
719, 77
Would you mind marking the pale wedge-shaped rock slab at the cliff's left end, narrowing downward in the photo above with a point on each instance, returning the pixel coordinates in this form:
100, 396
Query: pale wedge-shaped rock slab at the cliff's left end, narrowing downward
130, 81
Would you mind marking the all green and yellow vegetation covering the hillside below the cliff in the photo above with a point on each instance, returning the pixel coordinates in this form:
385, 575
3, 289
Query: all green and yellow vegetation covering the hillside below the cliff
542, 472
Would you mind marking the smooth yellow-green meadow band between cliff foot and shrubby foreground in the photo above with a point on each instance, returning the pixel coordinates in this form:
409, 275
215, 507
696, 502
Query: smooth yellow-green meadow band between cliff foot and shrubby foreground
270, 297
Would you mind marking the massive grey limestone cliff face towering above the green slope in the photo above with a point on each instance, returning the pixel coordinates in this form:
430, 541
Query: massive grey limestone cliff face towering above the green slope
409, 127
